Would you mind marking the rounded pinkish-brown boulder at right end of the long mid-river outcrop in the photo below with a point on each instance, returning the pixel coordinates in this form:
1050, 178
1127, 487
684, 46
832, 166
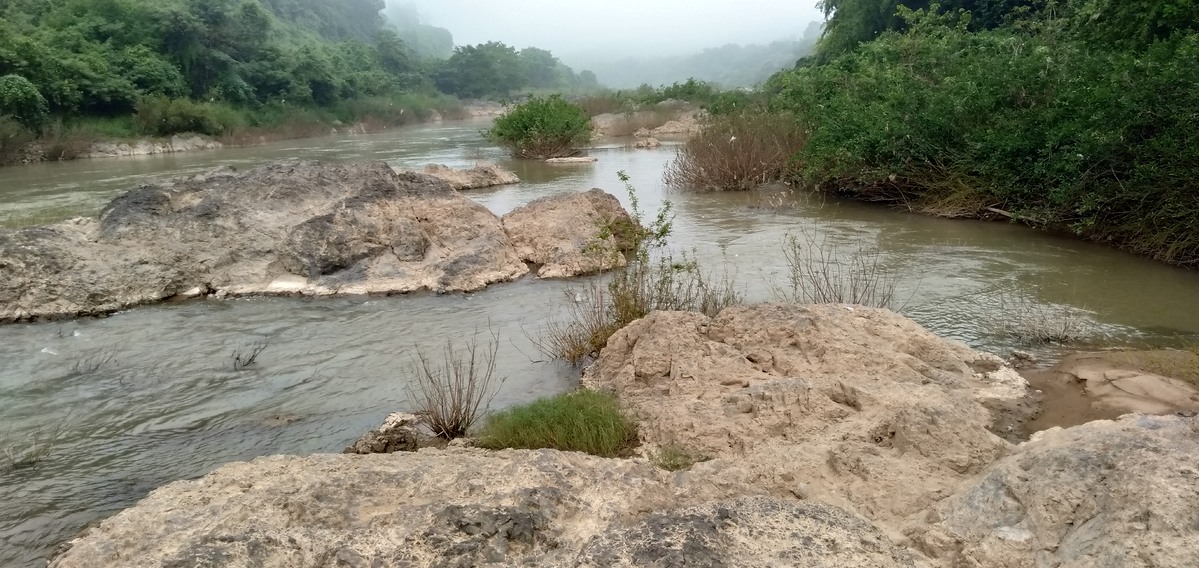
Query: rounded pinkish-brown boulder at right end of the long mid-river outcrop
571, 234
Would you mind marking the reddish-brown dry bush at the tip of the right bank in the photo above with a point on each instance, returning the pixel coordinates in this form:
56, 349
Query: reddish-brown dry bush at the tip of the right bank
738, 152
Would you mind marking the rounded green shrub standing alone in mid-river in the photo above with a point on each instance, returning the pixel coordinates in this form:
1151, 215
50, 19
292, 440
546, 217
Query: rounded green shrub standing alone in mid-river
543, 129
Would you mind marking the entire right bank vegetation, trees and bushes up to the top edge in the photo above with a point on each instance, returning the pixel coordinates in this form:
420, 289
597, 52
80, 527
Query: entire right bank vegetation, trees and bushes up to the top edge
1075, 116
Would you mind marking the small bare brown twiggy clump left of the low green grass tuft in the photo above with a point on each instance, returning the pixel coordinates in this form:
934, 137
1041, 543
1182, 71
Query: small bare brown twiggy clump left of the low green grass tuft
453, 394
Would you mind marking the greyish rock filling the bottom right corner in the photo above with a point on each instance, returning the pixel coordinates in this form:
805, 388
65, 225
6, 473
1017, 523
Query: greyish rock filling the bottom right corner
1102, 494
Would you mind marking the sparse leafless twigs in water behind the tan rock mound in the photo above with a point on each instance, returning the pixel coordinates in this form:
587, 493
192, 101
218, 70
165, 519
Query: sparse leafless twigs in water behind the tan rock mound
823, 271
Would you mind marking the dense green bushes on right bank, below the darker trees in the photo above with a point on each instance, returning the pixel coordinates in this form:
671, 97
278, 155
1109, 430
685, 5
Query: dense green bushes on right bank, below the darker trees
1047, 129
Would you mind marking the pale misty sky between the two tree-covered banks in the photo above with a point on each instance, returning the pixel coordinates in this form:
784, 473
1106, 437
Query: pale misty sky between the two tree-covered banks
620, 28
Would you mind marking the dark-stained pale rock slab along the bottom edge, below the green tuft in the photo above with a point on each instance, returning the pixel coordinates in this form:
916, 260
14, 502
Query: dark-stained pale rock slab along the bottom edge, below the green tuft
467, 507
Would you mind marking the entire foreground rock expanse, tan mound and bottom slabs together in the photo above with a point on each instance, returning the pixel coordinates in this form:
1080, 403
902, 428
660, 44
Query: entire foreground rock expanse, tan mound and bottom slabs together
838, 437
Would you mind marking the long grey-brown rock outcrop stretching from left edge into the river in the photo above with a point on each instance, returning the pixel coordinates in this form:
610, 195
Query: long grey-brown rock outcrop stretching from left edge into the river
286, 228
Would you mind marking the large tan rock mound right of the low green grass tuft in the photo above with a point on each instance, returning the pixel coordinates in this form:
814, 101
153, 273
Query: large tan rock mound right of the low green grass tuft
849, 406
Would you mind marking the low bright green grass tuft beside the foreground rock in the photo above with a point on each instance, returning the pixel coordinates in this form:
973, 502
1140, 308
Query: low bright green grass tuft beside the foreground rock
582, 421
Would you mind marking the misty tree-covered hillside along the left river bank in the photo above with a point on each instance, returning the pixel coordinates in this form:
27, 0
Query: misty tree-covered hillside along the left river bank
218, 67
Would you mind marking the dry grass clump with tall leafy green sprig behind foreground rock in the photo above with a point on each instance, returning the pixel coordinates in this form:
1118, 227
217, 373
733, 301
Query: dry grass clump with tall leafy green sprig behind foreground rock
646, 285
